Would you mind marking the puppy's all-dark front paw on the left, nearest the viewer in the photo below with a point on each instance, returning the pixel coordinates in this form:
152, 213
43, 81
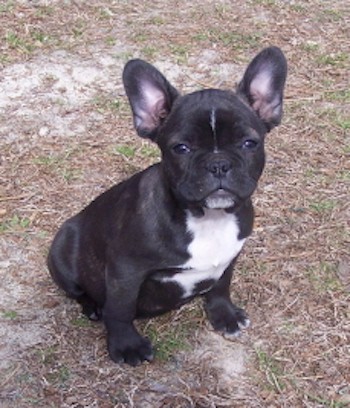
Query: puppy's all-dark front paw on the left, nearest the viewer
130, 348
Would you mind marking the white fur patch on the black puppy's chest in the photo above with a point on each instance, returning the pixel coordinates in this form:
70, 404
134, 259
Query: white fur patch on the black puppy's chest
215, 244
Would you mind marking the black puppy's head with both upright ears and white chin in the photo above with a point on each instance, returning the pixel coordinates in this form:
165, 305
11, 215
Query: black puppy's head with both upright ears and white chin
212, 141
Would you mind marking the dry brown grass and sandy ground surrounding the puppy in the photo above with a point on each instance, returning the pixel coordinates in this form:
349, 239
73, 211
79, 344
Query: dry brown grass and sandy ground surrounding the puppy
293, 277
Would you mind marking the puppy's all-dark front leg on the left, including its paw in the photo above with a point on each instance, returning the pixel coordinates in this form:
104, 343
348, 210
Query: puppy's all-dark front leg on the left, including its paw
125, 344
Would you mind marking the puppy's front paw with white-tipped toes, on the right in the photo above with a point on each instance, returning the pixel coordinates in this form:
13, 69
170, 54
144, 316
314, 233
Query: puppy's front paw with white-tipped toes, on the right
226, 317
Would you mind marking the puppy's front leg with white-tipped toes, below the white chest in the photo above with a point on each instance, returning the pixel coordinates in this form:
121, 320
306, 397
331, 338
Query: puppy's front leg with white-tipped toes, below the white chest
223, 315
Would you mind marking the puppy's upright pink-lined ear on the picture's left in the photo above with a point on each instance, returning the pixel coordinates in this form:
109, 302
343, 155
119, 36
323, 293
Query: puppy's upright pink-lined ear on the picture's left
150, 95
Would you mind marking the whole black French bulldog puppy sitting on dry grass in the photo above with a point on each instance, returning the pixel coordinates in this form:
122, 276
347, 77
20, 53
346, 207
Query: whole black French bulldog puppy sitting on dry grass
173, 231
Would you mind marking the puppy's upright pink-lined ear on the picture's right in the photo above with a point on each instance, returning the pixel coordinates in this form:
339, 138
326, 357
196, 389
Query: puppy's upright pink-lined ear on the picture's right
263, 84
